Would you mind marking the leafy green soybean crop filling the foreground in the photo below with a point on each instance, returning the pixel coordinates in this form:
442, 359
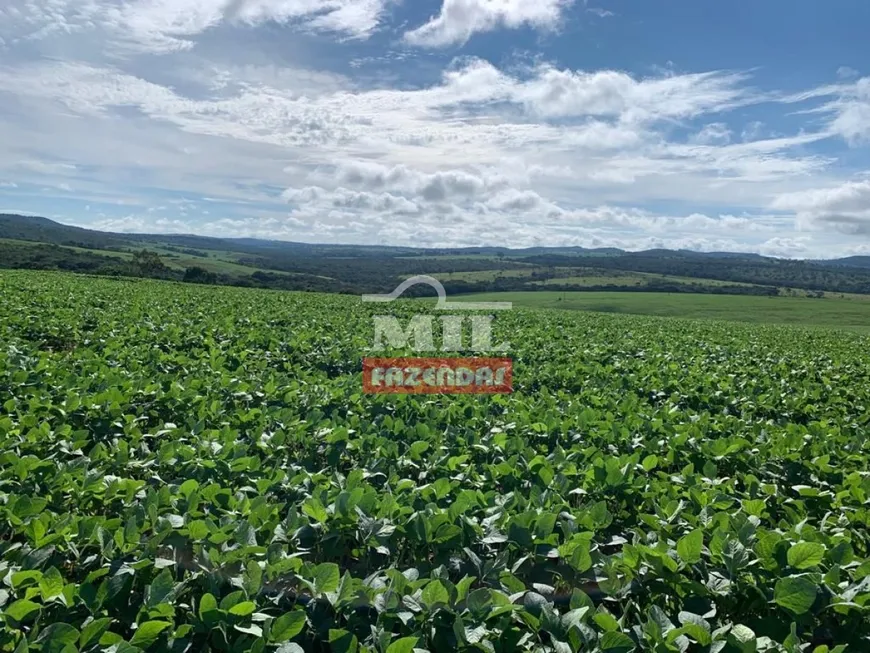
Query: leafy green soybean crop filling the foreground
191, 468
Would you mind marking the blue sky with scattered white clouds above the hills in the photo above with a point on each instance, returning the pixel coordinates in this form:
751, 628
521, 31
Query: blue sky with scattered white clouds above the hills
726, 126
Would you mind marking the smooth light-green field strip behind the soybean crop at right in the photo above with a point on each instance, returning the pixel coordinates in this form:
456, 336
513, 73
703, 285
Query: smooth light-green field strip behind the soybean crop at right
852, 313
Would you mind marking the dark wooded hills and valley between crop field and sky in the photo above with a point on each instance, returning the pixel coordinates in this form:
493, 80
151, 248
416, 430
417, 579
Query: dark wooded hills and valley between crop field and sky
35, 242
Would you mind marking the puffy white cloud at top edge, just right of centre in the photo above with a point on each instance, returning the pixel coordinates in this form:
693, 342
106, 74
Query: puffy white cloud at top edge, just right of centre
459, 20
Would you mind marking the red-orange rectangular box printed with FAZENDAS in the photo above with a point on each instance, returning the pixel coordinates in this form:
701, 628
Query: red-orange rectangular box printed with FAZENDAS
438, 376
